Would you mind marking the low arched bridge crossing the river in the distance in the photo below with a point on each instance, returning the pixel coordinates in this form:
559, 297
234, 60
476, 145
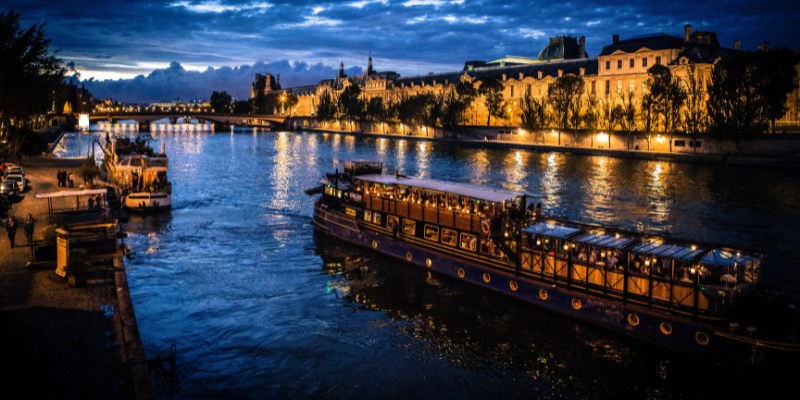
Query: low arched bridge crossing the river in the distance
226, 120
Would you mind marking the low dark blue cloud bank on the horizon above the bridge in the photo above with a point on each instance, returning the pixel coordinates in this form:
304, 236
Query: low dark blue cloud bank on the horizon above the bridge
176, 81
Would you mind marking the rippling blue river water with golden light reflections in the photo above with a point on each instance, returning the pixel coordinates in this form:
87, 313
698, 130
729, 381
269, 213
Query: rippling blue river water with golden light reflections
261, 307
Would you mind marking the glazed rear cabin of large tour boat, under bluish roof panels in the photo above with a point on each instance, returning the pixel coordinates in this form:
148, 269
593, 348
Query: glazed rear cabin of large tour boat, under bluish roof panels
683, 277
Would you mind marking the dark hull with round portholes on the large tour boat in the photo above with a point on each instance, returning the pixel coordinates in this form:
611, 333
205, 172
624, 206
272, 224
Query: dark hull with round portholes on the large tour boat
717, 342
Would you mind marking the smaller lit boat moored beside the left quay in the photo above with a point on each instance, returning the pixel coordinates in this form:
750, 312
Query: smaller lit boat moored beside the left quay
141, 175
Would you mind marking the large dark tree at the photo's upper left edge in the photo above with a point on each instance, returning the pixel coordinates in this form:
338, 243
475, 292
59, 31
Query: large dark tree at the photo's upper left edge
29, 74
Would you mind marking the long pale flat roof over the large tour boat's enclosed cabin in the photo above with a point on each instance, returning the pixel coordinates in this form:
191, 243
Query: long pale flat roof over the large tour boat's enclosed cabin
465, 189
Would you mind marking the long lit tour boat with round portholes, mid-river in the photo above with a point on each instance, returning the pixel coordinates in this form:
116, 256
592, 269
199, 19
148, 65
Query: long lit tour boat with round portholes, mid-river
694, 297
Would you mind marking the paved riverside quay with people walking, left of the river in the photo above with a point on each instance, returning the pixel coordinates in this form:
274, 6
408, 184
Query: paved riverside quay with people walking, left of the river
55, 341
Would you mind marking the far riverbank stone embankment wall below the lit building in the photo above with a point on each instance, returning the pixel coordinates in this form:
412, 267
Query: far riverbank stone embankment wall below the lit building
510, 140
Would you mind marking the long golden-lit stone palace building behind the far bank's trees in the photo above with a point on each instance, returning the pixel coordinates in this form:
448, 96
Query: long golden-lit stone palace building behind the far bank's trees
618, 74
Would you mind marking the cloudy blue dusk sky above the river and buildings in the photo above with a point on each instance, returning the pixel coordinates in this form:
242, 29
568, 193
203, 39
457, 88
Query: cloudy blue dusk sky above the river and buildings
306, 40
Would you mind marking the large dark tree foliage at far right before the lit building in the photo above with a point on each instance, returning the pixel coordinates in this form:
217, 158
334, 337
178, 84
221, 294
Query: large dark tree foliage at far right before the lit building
749, 90
